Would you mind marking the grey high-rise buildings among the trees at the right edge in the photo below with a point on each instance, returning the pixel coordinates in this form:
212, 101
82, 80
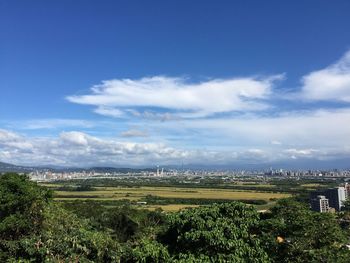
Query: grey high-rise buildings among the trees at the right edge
330, 200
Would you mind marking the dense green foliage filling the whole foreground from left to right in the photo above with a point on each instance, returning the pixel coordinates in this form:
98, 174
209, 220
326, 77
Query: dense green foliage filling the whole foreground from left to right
34, 228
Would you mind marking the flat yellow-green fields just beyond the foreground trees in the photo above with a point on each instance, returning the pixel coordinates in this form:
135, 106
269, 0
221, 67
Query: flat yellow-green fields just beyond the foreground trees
167, 198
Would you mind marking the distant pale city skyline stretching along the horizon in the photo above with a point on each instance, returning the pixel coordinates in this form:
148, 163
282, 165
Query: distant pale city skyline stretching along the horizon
159, 172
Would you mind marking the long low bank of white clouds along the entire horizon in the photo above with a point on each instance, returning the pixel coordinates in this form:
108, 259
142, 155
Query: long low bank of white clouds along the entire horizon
80, 149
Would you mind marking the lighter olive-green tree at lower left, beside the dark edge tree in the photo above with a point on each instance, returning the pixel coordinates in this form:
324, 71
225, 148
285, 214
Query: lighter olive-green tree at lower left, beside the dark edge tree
66, 237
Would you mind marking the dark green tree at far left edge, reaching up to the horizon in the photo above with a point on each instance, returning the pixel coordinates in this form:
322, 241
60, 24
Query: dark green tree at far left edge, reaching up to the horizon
21, 210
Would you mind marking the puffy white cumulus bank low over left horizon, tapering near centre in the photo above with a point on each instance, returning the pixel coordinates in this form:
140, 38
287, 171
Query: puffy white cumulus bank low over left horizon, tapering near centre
80, 149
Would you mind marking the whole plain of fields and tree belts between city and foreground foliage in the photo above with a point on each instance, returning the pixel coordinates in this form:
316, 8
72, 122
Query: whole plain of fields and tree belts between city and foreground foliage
172, 194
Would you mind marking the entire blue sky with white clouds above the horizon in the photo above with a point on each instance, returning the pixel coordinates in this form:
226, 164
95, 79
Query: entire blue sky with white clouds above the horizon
146, 83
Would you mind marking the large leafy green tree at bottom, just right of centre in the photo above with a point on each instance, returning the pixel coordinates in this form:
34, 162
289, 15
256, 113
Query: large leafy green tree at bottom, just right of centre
215, 233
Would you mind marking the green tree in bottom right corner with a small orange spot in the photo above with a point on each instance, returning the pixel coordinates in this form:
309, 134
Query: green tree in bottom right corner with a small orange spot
293, 233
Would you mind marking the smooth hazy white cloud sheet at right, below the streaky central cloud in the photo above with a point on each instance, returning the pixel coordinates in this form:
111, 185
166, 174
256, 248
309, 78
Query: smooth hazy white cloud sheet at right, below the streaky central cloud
304, 129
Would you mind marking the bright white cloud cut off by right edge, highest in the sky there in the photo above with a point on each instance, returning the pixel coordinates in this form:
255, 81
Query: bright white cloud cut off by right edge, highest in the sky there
330, 83
